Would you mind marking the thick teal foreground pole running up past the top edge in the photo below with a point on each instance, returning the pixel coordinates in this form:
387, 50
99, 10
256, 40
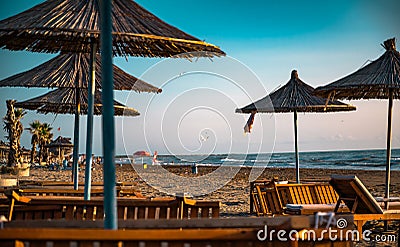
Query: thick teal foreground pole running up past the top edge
110, 201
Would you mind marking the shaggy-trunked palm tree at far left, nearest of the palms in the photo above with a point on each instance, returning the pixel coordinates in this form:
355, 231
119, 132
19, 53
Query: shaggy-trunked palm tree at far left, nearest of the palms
14, 129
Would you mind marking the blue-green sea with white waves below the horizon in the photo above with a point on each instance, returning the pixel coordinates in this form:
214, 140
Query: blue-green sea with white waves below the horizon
360, 159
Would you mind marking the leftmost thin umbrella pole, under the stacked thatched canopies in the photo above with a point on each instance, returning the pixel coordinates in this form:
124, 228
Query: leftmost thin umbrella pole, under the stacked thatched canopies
76, 139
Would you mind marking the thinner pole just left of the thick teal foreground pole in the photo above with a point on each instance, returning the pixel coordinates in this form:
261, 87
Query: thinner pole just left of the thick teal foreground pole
89, 131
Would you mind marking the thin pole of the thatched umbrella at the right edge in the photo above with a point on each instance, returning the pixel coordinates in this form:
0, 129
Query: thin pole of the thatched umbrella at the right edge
388, 148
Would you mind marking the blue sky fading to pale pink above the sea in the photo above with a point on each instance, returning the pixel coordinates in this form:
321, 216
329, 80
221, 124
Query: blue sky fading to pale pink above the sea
264, 41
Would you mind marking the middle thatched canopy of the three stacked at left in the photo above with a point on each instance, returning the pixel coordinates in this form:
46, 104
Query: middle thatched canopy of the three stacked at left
63, 71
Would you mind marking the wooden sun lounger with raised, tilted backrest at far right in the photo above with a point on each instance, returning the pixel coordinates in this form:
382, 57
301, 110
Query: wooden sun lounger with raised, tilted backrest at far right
360, 202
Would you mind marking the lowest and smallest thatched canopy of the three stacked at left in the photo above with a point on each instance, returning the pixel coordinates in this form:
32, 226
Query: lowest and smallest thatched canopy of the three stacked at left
62, 101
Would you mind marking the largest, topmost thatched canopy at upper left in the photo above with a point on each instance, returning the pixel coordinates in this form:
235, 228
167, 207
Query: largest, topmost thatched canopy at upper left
72, 25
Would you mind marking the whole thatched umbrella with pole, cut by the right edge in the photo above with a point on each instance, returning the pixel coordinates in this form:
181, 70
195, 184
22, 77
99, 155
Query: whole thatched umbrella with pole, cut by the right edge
379, 79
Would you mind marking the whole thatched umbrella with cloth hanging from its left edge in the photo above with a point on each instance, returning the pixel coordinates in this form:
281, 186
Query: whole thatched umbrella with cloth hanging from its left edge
295, 96
